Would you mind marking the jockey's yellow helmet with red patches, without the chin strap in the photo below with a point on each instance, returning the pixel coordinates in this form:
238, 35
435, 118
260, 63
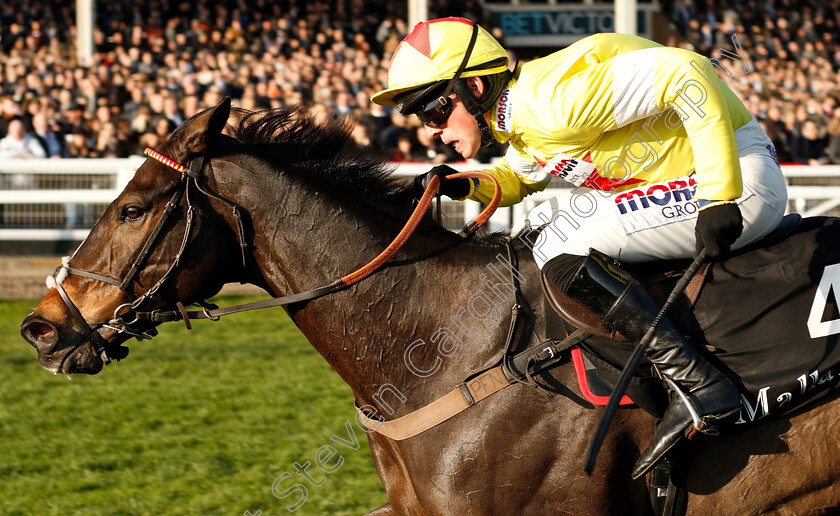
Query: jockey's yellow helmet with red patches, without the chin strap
432, 54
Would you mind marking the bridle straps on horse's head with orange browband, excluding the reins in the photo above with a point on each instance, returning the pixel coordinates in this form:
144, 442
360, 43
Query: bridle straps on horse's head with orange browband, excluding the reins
190, 175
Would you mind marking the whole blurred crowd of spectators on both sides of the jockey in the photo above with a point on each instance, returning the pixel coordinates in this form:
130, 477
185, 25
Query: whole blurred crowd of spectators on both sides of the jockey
159, 62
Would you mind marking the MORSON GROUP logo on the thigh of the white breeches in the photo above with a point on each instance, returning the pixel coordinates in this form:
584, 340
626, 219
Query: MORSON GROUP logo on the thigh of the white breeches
657, 204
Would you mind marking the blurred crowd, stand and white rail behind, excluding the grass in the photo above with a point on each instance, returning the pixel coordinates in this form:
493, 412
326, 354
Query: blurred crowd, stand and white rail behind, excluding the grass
86, 85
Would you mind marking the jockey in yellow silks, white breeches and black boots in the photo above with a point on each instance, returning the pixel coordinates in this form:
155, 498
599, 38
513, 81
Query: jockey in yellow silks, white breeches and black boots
664, 159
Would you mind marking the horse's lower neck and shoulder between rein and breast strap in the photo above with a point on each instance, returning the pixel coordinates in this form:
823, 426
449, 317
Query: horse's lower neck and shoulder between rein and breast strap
419, 329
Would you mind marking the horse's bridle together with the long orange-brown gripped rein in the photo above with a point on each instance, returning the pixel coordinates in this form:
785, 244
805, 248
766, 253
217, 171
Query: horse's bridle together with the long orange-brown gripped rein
191, 175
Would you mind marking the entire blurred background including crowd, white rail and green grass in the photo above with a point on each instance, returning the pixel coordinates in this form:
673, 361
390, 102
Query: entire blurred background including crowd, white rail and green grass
86, 85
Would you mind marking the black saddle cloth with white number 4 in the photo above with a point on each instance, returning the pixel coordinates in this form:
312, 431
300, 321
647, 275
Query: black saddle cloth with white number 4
768, 316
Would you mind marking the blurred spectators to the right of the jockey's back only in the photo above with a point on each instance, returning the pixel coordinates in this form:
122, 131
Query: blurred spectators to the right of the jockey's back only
792, 81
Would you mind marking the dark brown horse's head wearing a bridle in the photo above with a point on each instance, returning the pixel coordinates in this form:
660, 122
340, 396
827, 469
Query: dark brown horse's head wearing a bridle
157, 244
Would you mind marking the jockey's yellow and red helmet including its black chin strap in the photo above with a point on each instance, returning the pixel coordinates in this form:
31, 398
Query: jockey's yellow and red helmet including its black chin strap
434, 58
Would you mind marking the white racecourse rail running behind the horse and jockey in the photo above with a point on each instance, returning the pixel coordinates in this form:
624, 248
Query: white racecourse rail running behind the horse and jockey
53, 200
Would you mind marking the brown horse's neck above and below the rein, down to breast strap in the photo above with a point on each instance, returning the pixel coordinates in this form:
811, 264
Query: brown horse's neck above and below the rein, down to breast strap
418, 325
